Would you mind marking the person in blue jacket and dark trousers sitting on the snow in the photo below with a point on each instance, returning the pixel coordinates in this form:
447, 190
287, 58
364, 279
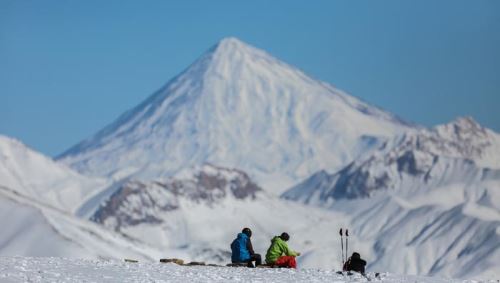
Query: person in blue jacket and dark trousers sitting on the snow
242, 249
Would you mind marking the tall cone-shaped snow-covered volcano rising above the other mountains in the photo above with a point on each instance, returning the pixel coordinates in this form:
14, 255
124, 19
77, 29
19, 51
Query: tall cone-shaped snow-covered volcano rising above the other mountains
237, 107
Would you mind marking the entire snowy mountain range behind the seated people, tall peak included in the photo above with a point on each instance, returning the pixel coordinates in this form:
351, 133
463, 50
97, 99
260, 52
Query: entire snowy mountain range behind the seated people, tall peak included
242, 139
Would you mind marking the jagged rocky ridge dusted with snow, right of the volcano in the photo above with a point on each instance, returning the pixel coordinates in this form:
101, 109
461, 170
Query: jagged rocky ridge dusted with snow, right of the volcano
427, 158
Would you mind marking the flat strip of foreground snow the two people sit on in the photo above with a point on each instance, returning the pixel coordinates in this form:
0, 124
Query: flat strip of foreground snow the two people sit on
31, 269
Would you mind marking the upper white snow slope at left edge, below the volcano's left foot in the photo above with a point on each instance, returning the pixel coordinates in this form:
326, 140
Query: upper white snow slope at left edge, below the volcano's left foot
39, 177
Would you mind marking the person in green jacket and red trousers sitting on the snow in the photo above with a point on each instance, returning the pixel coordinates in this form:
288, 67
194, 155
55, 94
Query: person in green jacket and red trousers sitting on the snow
280, 254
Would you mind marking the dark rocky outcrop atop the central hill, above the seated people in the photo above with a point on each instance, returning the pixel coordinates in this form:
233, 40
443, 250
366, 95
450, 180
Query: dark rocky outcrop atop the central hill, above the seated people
136, 202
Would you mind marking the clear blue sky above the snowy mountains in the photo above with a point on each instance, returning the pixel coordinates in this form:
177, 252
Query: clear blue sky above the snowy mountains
68, 68
